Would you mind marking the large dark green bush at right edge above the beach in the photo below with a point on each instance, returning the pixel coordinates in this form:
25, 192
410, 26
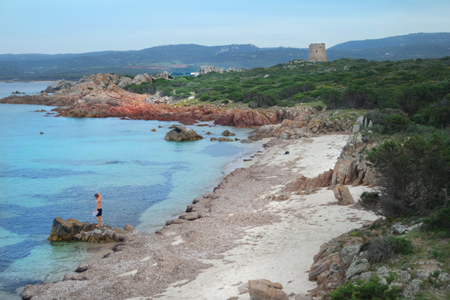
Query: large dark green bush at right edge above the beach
413, 173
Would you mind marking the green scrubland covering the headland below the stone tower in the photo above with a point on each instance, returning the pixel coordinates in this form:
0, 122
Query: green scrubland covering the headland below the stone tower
404, 91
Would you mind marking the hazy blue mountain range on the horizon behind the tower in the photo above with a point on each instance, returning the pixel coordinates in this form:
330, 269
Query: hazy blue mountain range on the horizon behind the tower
181, 59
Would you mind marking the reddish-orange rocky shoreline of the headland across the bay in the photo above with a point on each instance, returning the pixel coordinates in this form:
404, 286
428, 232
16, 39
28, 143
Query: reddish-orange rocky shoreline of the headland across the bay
105, 95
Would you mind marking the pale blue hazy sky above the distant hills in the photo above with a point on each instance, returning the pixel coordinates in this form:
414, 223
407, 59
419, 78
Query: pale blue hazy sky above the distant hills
78, 26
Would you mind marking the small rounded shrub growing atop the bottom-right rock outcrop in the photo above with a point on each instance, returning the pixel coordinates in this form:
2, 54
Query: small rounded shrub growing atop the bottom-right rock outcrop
385, 248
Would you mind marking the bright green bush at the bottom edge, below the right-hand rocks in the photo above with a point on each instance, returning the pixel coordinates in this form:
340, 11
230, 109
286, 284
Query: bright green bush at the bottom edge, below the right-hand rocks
372, 289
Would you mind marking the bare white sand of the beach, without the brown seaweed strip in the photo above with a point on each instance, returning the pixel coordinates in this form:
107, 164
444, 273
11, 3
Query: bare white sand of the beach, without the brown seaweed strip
282, 252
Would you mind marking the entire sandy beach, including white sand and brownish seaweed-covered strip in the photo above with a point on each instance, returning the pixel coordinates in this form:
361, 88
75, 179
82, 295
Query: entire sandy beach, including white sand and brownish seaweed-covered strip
234, 234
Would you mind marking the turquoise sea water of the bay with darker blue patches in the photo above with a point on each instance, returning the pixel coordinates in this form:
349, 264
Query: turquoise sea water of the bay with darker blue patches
143, 179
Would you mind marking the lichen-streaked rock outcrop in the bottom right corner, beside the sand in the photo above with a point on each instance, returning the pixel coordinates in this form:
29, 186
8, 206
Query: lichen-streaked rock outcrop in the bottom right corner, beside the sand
344, 259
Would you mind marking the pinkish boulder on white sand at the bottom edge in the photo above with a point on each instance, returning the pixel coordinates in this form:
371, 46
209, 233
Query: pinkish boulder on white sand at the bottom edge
264, 289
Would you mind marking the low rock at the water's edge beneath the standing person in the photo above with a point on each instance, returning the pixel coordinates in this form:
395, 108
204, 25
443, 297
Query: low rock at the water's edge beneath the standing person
74, 230
